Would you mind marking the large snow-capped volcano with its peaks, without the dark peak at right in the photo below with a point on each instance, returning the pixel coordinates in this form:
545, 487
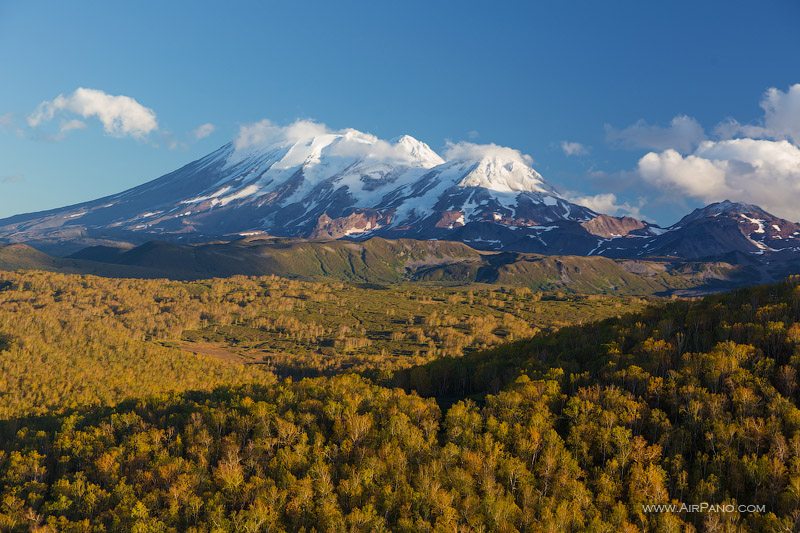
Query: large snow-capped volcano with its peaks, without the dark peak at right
305, 179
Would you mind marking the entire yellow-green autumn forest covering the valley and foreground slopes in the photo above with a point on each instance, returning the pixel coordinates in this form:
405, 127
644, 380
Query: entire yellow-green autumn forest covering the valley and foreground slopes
392, 408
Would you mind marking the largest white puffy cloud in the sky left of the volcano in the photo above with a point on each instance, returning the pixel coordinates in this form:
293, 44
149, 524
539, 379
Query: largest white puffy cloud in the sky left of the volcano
121, 115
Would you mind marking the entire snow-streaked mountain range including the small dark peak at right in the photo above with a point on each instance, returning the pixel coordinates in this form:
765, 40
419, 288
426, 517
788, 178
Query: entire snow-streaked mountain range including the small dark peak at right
308, 181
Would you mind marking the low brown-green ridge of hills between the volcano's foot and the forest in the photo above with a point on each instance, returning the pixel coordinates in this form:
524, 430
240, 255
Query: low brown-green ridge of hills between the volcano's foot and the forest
386, 261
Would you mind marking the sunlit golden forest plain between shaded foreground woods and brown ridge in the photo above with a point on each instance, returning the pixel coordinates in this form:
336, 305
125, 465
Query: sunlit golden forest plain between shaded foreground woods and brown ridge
72, 341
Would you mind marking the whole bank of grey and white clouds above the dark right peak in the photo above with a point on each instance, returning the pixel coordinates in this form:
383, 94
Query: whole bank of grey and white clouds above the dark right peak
755, 163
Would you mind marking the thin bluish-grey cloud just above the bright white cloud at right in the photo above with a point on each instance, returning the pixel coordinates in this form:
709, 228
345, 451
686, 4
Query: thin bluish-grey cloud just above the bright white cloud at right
683, 134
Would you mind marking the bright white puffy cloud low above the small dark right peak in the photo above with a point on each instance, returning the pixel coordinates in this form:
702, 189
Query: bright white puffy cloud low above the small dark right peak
763, 172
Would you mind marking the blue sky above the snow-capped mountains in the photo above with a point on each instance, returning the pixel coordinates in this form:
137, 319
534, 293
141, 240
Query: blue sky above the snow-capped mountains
526, 76
